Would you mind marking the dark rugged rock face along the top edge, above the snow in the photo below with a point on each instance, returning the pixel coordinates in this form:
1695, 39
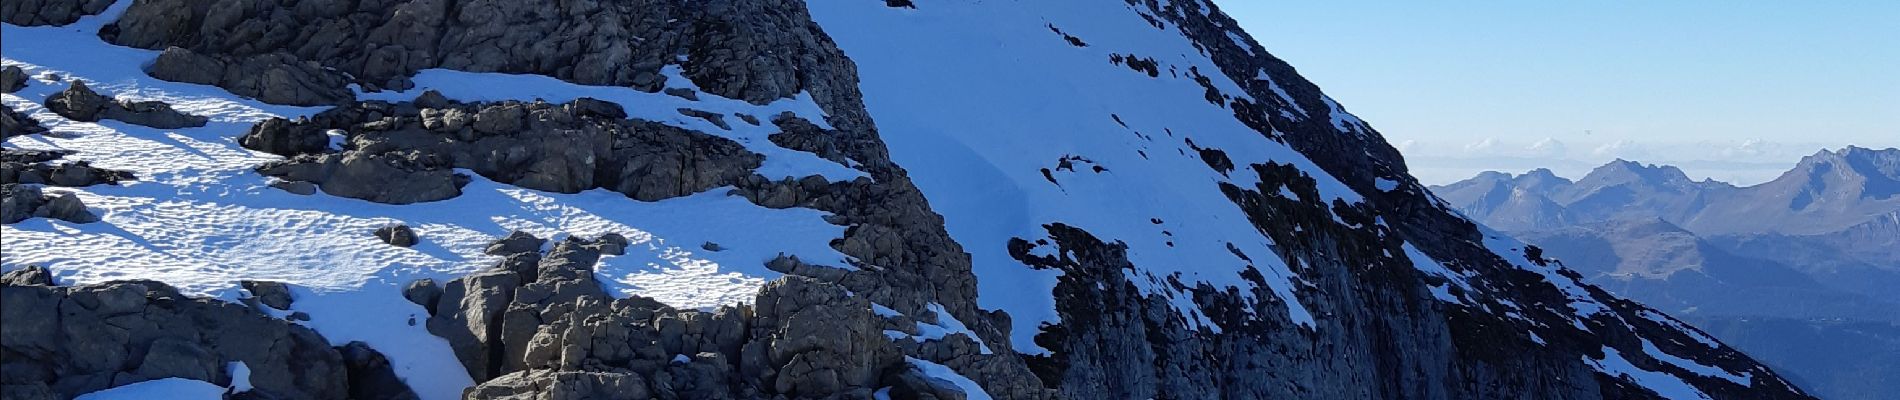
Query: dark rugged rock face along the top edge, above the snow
755, 50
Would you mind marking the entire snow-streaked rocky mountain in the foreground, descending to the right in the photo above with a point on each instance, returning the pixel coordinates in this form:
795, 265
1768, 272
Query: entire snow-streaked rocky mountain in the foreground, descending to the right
533, 153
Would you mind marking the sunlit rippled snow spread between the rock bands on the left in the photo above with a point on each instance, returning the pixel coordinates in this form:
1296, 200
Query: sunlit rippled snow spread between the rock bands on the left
202, 221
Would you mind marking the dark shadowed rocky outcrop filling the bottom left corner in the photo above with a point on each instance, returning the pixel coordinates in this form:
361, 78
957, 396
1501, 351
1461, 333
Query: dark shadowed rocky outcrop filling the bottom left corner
140, 331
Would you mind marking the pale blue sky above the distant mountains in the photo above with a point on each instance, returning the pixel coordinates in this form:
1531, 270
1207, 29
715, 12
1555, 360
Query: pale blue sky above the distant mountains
1728, 90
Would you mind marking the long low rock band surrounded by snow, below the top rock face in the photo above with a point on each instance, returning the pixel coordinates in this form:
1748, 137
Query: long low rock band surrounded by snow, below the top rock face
404, 153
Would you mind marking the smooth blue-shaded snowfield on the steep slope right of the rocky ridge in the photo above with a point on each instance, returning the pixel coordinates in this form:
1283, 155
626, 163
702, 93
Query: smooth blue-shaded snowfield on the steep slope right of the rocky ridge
997, 109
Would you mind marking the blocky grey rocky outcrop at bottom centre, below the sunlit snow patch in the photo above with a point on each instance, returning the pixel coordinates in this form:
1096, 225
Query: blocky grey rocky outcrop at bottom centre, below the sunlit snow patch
541, 327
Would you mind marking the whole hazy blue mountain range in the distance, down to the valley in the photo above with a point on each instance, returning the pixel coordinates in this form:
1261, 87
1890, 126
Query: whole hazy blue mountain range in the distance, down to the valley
1791, 270
